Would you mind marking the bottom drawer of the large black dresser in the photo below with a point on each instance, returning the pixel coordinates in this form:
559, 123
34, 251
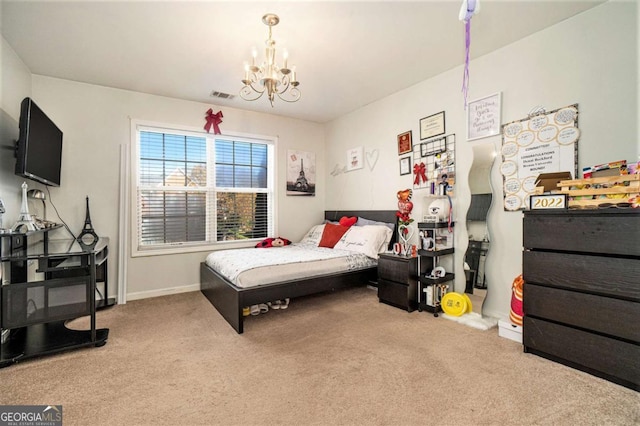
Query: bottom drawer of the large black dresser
612, 359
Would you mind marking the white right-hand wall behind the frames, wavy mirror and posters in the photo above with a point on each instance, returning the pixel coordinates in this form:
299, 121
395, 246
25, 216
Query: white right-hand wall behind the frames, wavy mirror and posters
590, 59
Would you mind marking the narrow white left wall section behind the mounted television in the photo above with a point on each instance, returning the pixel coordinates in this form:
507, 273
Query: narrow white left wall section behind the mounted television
15, 85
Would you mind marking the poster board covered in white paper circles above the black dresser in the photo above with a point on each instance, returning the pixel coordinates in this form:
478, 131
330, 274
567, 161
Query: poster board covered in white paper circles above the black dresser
544, 142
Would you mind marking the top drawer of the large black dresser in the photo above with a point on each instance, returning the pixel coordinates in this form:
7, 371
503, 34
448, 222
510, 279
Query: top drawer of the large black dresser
603, 231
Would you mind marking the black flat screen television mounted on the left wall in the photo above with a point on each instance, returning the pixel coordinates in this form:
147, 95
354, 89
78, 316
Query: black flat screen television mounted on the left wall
39, 146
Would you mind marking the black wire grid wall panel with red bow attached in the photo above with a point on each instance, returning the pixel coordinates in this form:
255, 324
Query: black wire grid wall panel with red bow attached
434, 165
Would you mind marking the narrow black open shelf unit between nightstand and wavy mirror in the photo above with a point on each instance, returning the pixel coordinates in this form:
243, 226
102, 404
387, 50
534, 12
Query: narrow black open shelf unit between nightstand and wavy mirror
434, 288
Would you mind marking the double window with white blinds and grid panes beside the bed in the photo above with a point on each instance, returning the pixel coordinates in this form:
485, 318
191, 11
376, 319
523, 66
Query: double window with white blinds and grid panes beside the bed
196, 189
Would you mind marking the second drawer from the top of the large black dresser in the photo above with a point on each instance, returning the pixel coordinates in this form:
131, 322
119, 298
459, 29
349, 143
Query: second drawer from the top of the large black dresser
608, 276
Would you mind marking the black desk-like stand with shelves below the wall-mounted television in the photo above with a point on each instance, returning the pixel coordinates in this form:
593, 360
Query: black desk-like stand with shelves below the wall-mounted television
46, 283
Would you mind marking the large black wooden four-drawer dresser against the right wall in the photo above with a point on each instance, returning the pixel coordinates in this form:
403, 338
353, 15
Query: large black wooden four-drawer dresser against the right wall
582, 290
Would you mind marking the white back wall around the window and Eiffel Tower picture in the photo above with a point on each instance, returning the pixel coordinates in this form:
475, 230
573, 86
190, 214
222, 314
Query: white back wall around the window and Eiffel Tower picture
96, 122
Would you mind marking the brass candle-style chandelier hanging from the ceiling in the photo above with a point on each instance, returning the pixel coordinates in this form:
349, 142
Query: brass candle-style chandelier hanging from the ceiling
269, 77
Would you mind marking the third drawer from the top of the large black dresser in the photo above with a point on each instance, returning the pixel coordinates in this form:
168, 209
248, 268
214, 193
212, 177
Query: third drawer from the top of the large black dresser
583, 310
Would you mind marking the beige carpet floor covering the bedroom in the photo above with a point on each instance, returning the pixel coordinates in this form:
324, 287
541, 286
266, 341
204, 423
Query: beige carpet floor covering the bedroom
333, 359
